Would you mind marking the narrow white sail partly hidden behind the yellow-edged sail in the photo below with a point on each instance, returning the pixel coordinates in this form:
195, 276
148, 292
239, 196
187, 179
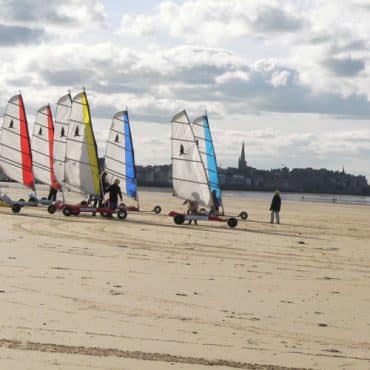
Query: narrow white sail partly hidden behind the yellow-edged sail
63, 112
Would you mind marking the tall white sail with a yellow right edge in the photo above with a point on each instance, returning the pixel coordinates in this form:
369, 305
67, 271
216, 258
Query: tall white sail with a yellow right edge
82, 165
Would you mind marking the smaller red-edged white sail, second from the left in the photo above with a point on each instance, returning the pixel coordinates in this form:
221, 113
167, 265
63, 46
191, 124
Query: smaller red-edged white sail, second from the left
43, 148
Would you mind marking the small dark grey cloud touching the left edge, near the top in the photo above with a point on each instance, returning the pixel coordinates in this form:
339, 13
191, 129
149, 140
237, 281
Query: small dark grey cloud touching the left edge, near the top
15, 35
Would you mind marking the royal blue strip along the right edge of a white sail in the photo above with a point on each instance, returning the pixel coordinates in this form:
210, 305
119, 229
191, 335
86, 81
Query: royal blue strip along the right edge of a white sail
131, 188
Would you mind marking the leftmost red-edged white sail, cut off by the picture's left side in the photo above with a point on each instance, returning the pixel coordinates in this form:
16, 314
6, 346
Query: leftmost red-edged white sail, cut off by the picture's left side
15, 148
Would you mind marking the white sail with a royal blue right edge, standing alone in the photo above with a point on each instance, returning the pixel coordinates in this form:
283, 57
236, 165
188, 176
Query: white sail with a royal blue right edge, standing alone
119, 156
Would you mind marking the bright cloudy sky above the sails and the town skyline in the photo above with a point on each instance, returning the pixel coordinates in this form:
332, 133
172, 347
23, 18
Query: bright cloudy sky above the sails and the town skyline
289, 78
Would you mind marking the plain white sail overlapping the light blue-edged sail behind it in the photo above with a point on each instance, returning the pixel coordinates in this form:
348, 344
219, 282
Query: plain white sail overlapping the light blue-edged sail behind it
189, 178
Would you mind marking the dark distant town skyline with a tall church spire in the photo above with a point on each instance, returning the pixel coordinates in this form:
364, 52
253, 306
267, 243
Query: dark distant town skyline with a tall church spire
244, 177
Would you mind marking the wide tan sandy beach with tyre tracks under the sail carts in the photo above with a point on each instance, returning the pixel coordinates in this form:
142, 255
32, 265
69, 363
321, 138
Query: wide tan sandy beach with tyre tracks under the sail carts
91, 293
